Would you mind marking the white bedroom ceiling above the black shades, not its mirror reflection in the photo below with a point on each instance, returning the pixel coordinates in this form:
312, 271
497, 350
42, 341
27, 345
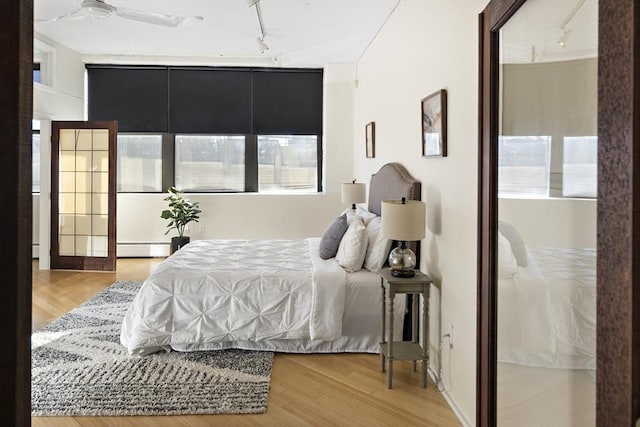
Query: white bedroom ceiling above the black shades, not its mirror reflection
299, 33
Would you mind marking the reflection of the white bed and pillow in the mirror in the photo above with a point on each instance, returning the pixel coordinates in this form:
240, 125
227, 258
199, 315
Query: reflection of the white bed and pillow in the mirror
546, 304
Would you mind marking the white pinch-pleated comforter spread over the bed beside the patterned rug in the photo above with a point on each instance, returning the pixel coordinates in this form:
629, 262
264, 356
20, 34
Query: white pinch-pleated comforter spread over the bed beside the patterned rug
214, 291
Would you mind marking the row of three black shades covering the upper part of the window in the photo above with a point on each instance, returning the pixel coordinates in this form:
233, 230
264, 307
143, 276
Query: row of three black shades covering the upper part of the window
207, 100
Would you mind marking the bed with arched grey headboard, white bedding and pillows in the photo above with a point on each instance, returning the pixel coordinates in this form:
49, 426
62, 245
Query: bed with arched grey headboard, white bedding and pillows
275, 295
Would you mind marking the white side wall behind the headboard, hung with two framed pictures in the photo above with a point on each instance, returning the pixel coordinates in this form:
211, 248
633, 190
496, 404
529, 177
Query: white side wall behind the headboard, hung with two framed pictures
426, 46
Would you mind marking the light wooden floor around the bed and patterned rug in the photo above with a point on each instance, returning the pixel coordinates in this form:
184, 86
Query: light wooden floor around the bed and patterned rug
306, 389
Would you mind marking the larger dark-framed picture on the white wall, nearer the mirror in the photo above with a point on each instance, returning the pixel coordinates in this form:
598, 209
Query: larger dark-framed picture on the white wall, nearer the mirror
434, 124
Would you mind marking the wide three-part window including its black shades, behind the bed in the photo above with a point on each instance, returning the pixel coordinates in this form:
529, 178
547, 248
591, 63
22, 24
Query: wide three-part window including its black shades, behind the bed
225, 129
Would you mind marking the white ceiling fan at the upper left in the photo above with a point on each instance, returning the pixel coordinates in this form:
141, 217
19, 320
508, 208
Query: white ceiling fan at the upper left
101, 9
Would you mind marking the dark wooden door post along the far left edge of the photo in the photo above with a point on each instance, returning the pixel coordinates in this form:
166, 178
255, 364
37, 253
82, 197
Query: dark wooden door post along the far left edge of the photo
16, 51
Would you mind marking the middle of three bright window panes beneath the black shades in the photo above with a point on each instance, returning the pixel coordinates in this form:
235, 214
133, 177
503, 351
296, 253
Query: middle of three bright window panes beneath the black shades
209, 162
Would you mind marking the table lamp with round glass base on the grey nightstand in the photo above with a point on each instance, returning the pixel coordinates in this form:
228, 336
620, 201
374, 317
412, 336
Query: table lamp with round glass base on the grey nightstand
404, 221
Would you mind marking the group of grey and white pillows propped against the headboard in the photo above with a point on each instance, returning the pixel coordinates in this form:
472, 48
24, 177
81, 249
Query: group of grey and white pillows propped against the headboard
355, 240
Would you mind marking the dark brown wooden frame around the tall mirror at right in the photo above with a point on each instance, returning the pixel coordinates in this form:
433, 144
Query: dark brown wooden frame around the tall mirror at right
618, 265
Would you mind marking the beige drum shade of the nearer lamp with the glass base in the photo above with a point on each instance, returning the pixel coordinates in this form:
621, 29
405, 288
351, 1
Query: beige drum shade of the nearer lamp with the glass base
403, 222
